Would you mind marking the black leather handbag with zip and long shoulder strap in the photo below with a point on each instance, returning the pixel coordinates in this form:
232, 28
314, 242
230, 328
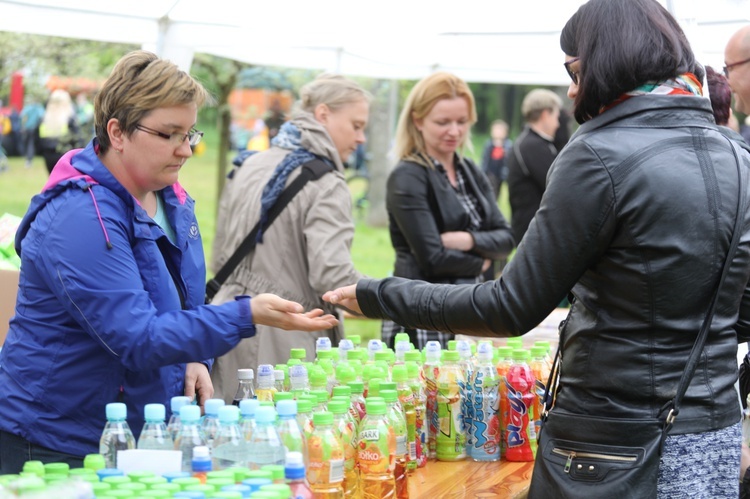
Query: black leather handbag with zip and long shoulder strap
582, 456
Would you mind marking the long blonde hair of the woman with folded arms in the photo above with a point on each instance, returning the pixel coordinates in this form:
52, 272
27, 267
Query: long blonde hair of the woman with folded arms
422, 98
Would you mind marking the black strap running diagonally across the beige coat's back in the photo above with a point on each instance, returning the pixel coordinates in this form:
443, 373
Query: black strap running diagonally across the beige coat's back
312, 170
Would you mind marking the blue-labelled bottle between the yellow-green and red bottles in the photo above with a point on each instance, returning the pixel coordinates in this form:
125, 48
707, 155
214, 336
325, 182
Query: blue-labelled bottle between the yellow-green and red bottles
485, 404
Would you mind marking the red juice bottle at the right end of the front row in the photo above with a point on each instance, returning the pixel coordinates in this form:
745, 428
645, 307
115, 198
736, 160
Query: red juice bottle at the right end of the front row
520, 432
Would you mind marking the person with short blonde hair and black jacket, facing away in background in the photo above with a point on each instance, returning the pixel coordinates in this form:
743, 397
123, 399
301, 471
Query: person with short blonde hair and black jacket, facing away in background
533, 154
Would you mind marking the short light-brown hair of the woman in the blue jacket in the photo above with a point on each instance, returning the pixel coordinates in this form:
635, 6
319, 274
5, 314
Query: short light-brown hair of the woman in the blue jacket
139, 83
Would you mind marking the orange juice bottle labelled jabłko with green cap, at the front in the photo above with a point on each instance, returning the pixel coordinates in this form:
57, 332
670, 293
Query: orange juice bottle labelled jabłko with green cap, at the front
376, 444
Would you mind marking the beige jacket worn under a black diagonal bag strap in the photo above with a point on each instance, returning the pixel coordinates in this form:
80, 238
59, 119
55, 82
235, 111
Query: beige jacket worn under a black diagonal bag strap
304, 253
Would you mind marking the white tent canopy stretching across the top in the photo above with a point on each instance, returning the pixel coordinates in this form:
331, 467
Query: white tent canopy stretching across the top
479, 40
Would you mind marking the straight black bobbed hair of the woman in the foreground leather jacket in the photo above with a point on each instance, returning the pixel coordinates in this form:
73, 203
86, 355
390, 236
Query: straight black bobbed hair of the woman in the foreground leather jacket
623, 45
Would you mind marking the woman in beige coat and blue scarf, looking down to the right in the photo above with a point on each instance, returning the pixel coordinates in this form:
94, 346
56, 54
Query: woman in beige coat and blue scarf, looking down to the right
306, 250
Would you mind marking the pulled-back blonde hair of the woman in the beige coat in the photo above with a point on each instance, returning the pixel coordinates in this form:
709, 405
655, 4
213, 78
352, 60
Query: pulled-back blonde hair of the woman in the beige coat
335, 91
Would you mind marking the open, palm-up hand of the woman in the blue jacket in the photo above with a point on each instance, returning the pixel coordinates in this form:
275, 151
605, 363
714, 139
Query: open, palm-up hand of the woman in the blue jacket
272, 310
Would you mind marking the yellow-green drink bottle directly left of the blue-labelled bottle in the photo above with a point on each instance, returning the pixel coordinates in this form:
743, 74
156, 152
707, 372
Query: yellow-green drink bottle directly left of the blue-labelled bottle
451, 439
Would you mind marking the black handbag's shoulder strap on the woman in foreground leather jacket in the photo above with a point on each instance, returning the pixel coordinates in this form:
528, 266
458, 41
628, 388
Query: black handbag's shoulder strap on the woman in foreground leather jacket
673, 406
